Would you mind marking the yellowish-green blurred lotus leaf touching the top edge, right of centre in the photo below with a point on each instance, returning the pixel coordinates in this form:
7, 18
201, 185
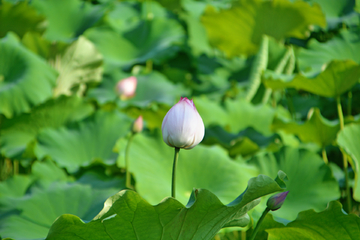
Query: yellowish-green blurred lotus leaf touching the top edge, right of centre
248, 20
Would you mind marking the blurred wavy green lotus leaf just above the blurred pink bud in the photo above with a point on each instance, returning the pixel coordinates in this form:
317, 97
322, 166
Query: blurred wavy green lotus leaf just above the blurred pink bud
155, 39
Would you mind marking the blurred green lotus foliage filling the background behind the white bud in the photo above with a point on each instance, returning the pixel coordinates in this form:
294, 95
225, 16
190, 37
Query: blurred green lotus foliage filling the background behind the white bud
267, 77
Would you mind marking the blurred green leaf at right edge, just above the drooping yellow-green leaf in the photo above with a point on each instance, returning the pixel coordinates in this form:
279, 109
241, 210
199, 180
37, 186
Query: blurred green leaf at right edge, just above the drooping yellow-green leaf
344, 46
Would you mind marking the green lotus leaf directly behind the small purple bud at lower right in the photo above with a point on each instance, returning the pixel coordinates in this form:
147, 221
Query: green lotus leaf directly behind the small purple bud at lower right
311, 184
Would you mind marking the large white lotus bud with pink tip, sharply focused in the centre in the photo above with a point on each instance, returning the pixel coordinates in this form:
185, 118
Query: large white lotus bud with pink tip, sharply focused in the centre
182, 126
